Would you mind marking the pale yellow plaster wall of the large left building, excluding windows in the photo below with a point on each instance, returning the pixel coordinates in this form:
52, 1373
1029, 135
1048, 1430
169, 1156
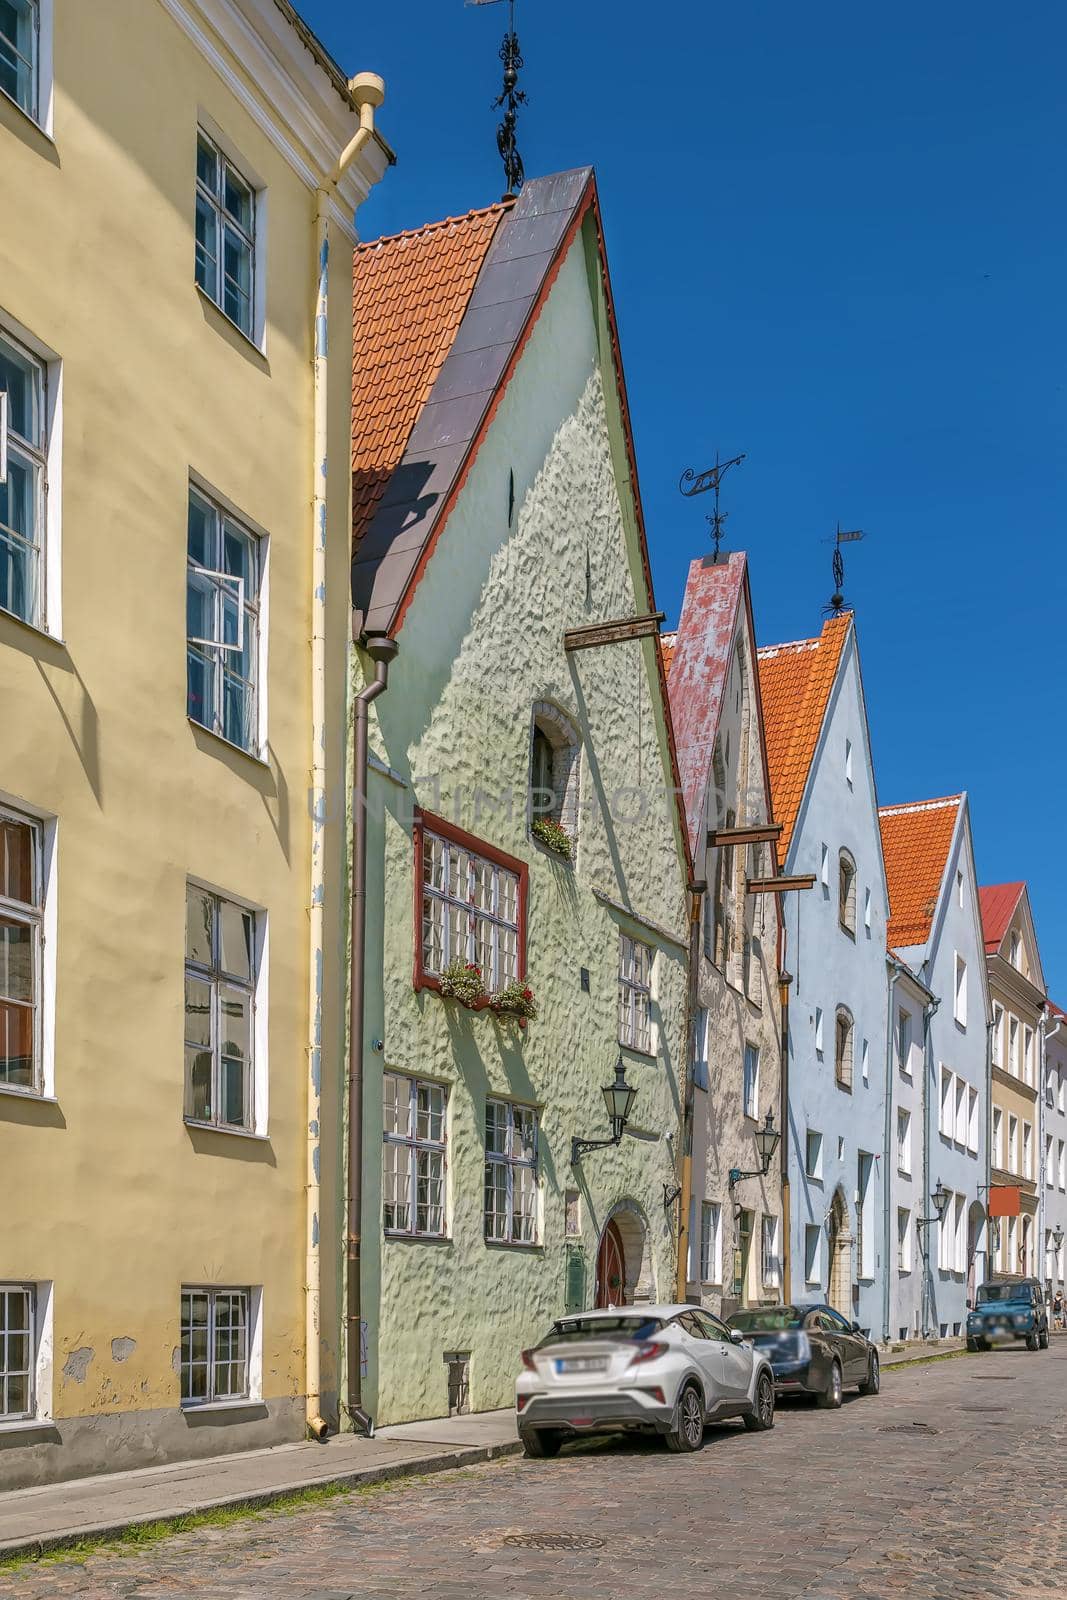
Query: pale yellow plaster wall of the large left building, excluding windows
108, 1194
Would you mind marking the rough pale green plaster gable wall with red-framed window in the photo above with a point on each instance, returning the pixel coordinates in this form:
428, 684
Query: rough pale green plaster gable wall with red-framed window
482, 644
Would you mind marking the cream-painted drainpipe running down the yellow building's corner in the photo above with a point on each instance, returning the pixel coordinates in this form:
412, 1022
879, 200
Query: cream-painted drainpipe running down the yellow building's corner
369, 92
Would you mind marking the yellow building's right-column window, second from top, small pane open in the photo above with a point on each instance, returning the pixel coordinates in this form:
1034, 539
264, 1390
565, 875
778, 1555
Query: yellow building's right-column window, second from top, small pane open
225, 583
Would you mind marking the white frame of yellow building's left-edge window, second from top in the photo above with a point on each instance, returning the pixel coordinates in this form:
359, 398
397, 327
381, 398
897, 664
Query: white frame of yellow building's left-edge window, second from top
49, 465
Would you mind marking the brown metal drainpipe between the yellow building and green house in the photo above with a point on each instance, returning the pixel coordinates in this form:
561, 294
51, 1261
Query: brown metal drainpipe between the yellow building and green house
382, 654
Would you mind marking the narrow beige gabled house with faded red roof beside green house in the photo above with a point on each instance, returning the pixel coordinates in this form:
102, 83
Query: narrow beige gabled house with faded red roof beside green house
733, 1225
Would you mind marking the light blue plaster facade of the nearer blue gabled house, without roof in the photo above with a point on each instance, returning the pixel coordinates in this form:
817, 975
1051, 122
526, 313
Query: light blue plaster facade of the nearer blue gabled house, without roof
831, 969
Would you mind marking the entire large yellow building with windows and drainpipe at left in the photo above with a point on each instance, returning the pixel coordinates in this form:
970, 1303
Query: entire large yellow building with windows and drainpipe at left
175, 521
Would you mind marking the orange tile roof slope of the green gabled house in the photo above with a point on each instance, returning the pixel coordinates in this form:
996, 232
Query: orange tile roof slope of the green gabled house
410, 294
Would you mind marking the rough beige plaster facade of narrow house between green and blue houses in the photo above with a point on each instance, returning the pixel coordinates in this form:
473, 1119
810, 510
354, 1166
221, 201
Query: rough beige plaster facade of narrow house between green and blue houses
722, 1135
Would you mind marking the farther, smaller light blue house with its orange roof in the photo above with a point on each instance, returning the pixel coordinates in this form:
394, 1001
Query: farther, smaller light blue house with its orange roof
938, 1087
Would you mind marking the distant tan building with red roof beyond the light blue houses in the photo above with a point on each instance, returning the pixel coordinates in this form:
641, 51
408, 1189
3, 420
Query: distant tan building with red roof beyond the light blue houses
1017, 991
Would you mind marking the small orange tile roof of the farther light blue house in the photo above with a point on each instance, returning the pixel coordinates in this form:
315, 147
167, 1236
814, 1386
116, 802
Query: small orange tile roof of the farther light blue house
916, 842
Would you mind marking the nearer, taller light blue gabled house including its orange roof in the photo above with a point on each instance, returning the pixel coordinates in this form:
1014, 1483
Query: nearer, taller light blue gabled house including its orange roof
823, 793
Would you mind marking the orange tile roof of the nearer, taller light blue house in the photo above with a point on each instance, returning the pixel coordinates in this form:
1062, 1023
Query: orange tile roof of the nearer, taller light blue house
796, 684
